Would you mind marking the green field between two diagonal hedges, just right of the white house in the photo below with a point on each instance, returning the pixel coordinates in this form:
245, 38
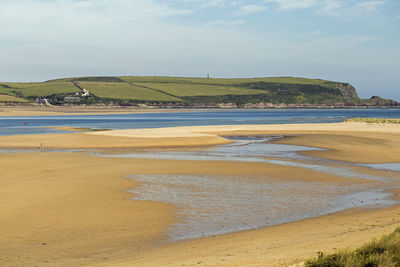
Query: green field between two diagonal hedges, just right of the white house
123, 90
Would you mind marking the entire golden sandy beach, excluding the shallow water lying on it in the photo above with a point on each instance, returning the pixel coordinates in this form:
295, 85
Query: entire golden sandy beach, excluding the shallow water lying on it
68, 209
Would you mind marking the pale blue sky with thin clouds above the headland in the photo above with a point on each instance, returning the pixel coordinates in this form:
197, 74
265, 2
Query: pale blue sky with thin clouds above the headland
353, 41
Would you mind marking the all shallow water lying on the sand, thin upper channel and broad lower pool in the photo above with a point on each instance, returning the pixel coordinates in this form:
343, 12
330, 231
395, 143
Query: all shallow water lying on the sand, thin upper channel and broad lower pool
209, 205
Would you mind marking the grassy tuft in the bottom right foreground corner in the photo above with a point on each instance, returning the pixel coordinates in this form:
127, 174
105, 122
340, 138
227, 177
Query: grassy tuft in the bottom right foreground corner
384, 252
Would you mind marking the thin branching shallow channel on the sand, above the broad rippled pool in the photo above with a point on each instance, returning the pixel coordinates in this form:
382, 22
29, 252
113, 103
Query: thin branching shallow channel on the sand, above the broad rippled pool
256, 149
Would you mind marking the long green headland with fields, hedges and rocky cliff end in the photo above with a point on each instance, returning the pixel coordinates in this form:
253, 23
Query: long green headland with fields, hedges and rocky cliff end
182, 91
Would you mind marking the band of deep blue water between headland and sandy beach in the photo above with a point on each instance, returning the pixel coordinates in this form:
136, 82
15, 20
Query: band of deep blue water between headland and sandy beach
36, 124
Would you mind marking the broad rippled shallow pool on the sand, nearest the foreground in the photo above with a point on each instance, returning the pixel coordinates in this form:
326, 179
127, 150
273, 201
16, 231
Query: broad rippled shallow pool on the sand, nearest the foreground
211, 205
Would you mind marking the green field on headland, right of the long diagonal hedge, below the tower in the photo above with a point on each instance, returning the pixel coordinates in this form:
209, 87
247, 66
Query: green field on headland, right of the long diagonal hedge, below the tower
188, 89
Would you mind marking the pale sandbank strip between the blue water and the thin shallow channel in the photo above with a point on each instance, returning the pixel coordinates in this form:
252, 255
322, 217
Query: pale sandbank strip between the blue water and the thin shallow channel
361, 139
